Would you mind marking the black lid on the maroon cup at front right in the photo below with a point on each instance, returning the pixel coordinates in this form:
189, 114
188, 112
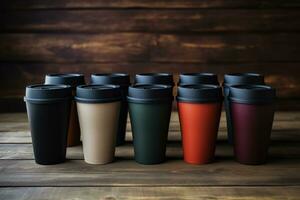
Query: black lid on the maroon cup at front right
252, 94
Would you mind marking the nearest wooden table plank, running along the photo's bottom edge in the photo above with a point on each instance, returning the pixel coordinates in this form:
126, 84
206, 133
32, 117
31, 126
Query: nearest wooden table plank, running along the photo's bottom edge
166, 193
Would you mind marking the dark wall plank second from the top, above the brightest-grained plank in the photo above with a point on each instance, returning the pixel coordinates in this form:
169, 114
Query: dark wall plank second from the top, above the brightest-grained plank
141, 20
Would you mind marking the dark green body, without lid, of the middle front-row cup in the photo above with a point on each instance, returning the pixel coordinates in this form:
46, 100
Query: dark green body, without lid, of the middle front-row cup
150, 126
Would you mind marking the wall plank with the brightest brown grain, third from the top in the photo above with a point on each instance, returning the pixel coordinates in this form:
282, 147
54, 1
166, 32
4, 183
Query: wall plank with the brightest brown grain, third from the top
135, 47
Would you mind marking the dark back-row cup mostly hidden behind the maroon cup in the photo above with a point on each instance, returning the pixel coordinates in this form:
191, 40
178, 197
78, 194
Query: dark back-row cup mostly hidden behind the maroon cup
237, 79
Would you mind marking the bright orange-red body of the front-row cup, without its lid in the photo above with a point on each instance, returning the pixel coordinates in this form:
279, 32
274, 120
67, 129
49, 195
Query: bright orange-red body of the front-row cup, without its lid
199, 127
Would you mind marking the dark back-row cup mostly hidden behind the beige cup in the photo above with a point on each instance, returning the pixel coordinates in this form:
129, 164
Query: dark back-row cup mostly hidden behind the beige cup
123, 80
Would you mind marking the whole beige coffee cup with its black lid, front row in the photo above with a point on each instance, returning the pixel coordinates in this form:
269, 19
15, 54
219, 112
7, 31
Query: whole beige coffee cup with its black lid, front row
98, 111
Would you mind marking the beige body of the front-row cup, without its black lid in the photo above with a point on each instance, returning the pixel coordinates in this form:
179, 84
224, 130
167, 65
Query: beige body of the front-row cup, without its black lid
99, 125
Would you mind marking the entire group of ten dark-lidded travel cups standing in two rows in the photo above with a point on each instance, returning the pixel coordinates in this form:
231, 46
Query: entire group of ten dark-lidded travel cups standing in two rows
63, 108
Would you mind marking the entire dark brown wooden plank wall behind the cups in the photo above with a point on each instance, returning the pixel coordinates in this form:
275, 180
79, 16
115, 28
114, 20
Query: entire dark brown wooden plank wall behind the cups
134, 36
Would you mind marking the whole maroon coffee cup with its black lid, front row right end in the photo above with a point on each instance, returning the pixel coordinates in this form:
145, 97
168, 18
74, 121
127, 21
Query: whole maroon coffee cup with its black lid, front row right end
252, 110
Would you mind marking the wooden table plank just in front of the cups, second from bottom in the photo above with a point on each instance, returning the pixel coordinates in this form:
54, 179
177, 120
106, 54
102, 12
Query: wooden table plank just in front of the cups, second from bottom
124, 172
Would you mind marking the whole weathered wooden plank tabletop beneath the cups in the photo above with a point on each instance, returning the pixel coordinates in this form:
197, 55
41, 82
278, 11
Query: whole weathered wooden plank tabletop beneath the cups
21, 178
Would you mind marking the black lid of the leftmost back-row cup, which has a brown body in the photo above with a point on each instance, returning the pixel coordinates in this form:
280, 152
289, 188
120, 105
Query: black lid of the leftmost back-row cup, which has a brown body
68, 79
